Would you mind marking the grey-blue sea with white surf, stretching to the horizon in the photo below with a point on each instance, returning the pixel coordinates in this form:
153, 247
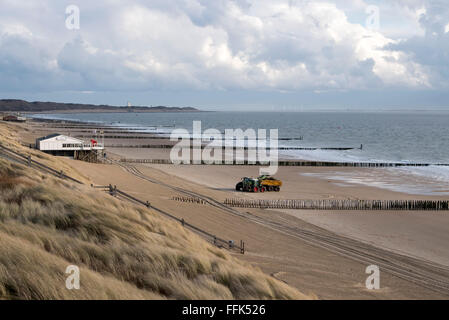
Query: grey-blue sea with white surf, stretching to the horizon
405, 137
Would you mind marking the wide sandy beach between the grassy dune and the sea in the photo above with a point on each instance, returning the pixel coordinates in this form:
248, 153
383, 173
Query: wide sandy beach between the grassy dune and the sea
415, 238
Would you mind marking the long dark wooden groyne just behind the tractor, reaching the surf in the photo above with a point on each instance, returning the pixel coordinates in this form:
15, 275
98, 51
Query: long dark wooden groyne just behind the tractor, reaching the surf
297, 163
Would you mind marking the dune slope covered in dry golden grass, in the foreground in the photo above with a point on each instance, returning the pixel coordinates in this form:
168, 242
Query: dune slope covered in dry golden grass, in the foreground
123, 251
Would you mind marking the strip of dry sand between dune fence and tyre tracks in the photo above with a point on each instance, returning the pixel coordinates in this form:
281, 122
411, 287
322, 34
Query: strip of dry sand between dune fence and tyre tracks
311, 269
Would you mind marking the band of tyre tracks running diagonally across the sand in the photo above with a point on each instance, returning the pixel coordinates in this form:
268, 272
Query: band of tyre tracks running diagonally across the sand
423, 273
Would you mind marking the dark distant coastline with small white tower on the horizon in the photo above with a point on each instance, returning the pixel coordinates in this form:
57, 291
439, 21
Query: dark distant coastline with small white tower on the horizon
13, 105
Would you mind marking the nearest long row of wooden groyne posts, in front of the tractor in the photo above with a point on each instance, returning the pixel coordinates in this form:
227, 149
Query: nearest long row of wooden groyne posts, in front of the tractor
362, 205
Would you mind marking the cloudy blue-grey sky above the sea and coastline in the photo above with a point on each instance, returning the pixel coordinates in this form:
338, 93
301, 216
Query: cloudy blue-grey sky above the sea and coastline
228, 55
